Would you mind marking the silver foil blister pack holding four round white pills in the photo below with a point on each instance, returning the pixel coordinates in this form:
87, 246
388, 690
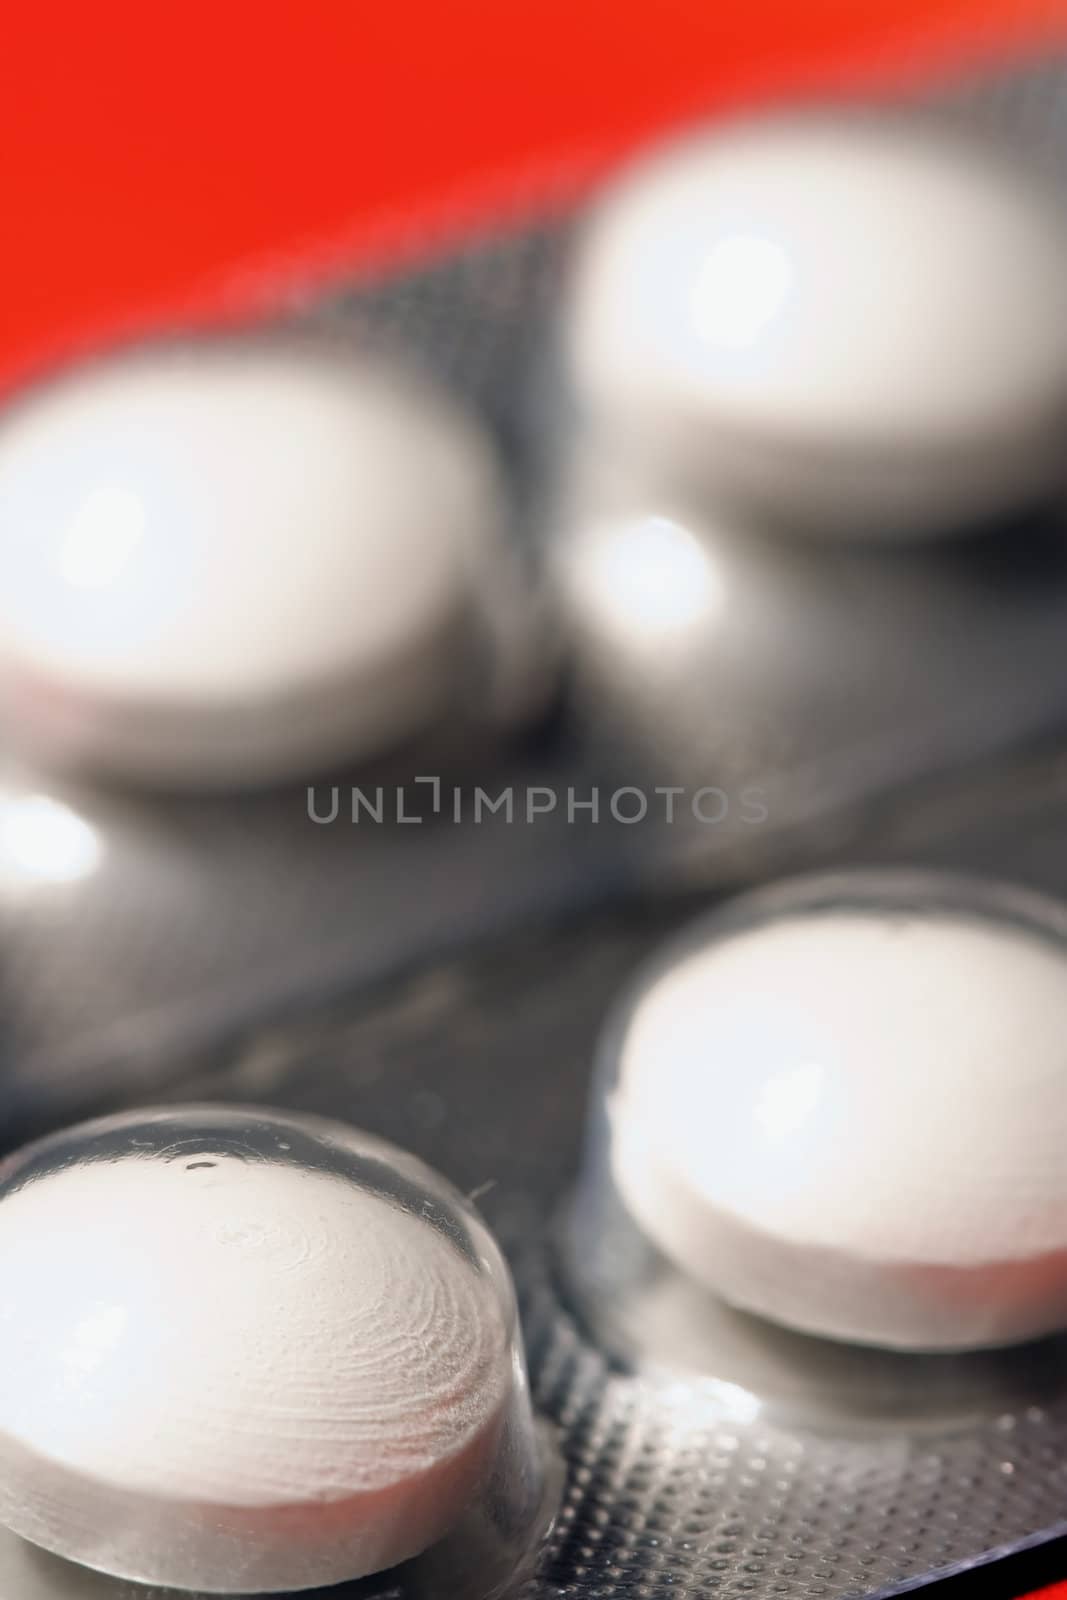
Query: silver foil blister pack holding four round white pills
772, 1334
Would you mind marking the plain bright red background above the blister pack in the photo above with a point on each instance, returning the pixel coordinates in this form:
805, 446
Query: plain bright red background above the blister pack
164, 162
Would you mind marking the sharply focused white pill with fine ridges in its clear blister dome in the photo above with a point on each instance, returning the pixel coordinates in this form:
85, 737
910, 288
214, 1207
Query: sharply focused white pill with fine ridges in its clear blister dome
247, 1353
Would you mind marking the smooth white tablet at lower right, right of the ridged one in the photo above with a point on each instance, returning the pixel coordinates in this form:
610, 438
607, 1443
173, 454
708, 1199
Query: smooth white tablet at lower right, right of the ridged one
847, 1113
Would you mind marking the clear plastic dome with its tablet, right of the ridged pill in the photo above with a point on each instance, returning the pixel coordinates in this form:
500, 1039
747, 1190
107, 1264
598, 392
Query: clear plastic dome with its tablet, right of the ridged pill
825, 1159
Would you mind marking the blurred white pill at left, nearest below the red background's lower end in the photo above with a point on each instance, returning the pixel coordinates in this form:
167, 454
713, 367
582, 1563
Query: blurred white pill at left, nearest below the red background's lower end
241, 559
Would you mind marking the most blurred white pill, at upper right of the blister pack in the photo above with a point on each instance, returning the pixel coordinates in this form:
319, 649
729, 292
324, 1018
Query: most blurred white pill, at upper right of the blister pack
849, 322
